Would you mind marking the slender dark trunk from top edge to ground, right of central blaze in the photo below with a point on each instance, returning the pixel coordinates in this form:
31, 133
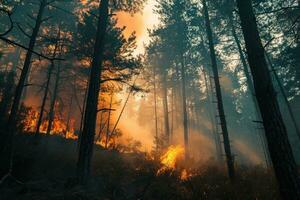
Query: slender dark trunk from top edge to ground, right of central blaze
227, 148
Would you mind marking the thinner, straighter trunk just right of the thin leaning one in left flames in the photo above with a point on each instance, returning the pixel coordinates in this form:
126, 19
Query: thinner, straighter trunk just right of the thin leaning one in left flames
53, 100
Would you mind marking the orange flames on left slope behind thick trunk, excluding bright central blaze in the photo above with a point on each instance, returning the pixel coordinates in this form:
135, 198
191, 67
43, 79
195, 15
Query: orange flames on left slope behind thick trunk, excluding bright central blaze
106, 138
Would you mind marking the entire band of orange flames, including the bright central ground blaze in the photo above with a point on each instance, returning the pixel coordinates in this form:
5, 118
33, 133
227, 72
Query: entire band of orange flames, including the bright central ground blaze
170, 159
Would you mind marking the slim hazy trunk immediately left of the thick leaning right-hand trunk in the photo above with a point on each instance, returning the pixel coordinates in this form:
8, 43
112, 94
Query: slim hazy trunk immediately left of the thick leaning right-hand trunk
250, 85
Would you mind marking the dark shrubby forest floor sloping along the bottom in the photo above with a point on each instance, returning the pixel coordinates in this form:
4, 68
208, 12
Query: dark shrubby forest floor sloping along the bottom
46, 171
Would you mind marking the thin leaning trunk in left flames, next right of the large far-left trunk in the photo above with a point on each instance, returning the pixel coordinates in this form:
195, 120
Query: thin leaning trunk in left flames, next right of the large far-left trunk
50, 69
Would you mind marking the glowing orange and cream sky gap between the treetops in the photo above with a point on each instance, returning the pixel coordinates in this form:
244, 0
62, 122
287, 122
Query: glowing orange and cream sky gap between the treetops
140, 23
